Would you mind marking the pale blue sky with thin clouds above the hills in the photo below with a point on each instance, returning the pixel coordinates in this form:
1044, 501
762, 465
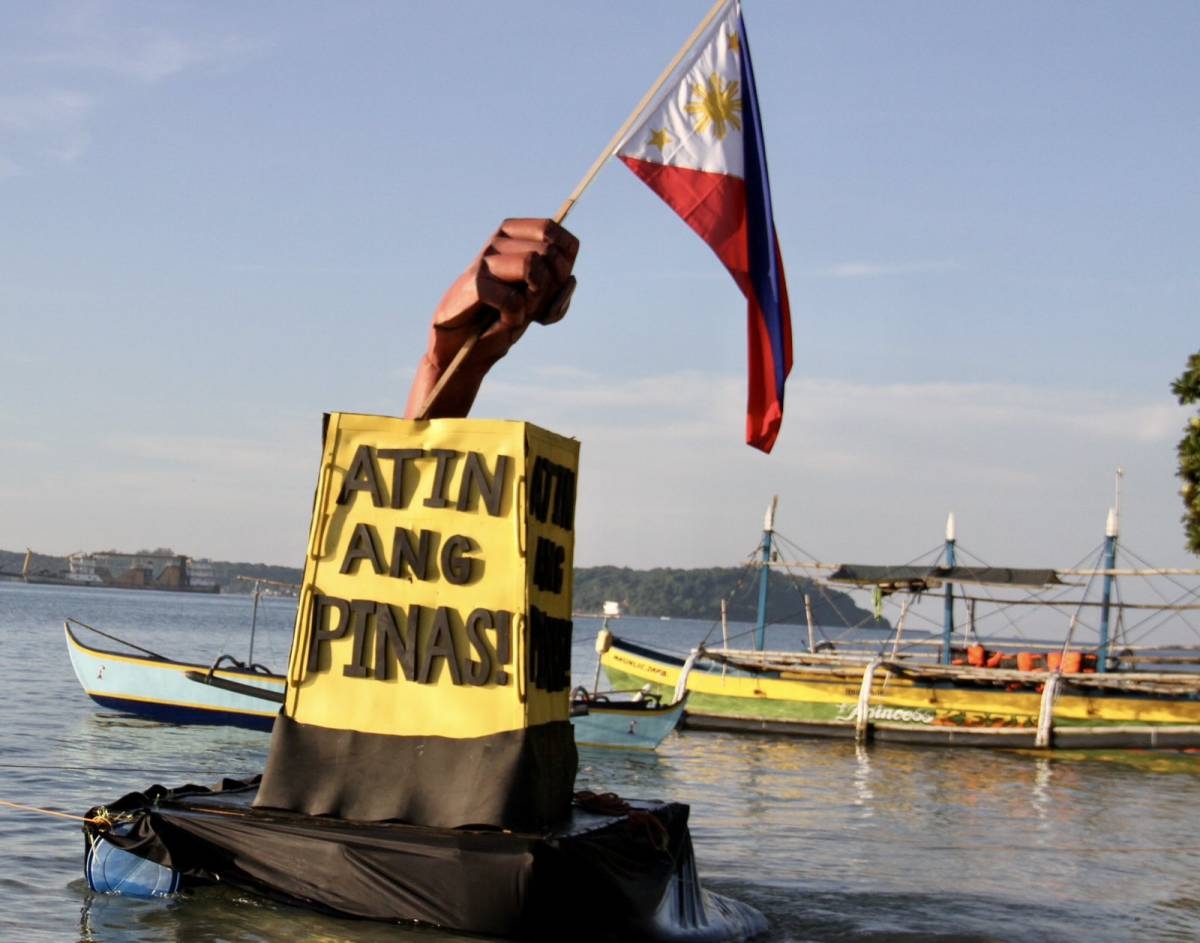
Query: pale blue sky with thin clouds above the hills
220, 221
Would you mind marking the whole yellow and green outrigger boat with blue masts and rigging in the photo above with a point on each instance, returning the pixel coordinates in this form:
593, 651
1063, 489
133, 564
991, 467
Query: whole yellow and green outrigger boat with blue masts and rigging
951, 689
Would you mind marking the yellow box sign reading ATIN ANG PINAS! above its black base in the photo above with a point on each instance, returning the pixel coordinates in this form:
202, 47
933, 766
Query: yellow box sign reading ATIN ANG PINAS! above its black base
437, 591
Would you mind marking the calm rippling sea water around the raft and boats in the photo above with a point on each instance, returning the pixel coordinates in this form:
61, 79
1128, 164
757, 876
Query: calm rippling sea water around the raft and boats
833, 843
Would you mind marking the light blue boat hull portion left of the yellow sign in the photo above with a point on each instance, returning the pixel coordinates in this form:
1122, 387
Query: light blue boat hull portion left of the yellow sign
173, 692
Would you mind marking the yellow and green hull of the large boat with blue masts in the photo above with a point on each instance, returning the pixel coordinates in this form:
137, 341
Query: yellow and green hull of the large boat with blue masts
830, 701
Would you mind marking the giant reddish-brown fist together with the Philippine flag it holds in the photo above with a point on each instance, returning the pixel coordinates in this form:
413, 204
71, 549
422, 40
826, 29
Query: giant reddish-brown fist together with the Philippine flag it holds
701, 149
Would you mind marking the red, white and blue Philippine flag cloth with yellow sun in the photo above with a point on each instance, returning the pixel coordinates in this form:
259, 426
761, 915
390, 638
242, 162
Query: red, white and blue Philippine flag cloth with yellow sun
703, 152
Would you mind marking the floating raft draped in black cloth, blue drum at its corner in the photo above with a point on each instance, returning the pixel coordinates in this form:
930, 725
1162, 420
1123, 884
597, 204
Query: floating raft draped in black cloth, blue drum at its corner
622, 870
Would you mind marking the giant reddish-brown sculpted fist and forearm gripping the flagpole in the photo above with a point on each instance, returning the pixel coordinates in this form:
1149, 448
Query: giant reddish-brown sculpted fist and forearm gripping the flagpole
524, 275
